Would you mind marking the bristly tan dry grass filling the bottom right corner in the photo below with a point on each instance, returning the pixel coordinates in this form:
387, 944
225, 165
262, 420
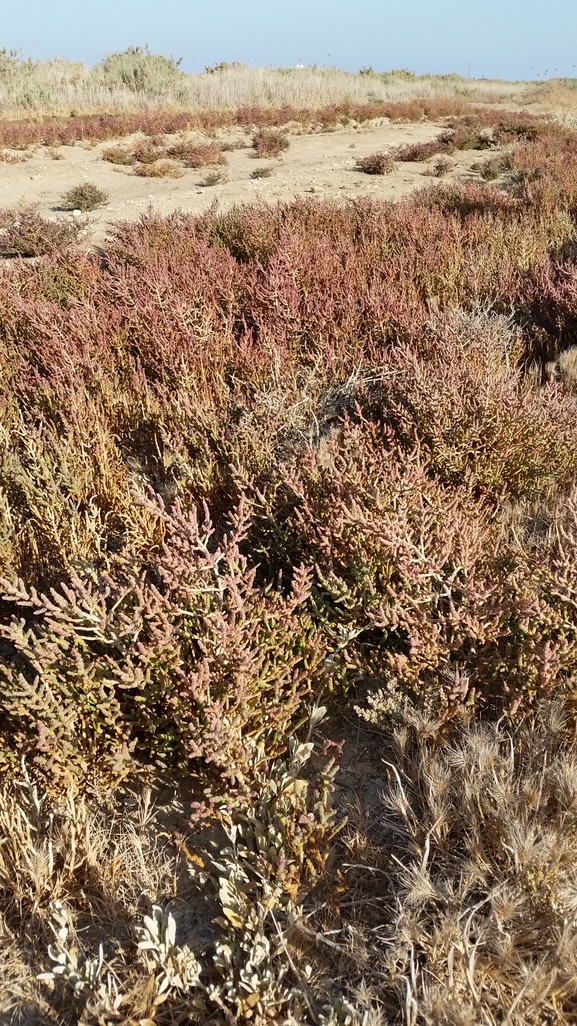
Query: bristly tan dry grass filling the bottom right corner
457, 888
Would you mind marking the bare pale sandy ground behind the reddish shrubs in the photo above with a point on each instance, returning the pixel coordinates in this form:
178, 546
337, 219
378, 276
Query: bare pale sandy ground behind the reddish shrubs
316, 165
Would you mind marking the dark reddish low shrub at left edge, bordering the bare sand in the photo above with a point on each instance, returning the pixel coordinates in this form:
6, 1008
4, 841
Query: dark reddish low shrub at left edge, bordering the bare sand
25, 233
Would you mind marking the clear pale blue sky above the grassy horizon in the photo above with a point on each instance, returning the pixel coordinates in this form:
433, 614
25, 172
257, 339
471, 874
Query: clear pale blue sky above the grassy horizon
514, 40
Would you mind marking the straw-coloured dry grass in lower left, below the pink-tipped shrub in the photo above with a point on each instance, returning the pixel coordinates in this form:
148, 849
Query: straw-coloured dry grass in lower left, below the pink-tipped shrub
103, 859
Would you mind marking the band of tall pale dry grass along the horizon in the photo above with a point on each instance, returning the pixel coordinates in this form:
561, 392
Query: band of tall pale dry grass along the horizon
135, 82
